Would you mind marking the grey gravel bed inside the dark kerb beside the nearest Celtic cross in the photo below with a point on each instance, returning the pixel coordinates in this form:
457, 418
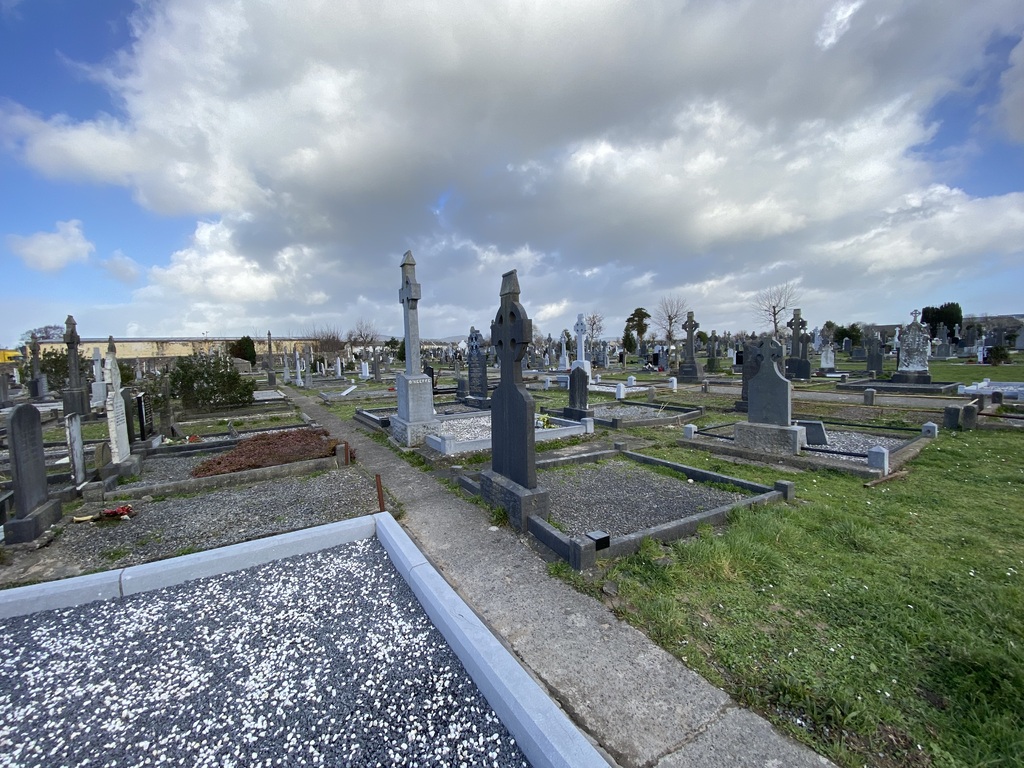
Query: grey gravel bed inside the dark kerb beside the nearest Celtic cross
622, 497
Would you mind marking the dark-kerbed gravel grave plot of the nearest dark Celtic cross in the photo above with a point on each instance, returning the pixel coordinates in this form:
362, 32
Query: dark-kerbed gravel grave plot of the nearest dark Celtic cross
606, 504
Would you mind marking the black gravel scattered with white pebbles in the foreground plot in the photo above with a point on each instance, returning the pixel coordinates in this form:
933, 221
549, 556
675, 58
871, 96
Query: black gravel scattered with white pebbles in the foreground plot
251, 668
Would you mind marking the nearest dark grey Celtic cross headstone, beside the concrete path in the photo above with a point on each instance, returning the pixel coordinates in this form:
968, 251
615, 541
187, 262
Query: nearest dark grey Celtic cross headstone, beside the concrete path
511, 482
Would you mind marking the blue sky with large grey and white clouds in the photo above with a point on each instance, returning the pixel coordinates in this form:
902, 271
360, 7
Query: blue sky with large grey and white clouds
181, 167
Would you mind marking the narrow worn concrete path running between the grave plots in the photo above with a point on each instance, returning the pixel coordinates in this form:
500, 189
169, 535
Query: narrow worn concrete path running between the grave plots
638, 703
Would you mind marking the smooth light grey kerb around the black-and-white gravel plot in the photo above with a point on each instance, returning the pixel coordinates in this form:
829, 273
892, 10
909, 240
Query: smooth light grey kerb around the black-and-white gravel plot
541, 729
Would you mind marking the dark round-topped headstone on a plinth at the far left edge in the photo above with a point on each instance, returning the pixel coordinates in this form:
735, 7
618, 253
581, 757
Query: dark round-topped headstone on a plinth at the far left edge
34, 511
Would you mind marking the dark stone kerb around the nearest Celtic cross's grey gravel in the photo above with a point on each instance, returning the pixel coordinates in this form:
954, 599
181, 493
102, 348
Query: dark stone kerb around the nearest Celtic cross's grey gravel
581, 552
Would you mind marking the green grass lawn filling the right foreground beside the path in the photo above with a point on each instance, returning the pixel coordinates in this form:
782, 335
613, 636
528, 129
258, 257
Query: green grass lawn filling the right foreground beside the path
880, 625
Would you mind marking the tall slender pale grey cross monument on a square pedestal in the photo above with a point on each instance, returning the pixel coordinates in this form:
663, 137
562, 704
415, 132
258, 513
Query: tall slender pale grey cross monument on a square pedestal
415, 390
